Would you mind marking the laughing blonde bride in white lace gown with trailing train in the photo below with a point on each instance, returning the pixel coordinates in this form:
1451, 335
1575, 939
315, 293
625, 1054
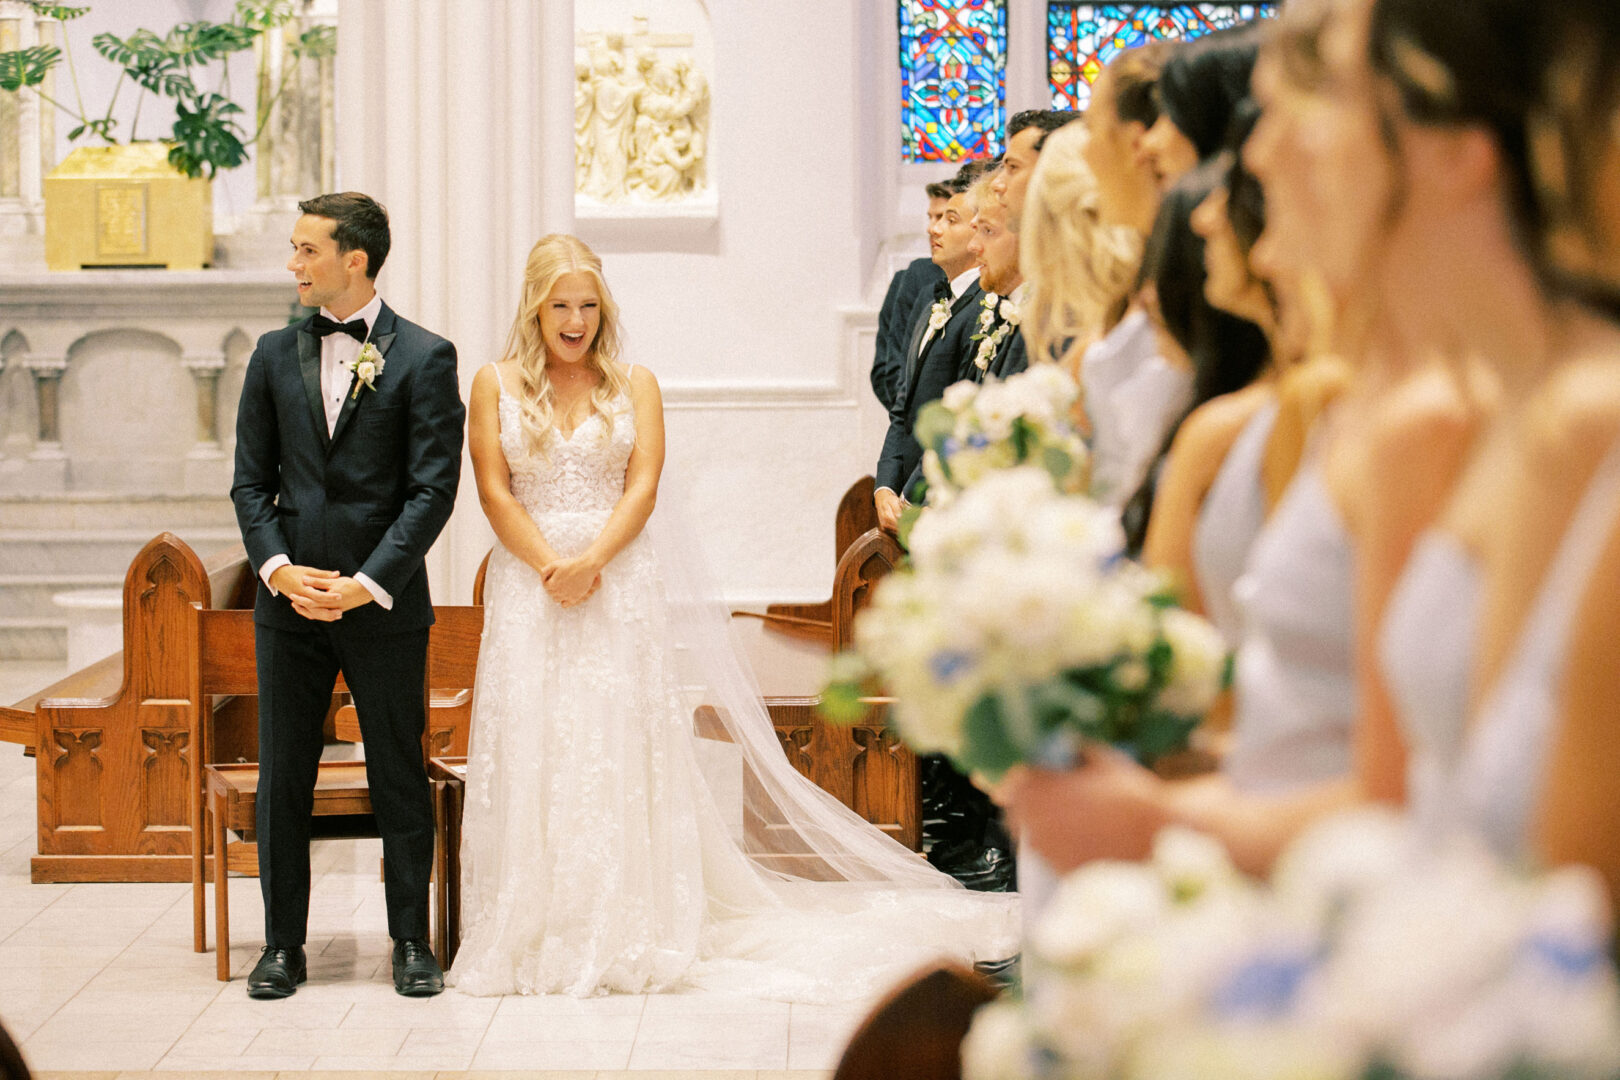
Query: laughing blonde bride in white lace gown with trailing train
607, 846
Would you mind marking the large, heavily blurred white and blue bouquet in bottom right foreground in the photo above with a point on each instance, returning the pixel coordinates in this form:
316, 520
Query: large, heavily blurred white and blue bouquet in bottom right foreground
1373, 956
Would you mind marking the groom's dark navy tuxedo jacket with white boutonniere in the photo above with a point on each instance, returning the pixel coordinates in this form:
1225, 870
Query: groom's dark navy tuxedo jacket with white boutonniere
369, 500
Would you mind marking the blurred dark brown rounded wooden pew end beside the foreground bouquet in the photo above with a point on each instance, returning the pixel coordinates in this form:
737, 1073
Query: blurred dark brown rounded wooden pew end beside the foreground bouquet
916, 1034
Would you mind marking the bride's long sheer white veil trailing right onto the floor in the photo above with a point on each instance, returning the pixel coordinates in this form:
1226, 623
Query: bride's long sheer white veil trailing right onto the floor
806, 854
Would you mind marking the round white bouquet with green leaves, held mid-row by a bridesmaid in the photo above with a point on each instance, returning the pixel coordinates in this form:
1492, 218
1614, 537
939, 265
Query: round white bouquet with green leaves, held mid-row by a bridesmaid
1018, 632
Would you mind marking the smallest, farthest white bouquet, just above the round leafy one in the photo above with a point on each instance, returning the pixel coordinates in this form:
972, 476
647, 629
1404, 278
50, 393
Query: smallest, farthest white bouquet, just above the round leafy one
976, 430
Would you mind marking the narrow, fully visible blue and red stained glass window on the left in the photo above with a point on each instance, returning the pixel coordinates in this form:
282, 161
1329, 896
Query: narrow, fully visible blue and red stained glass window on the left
953, 79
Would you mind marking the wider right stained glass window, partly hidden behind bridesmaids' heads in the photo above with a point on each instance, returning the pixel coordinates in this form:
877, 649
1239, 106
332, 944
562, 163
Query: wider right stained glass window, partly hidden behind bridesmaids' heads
1083, 38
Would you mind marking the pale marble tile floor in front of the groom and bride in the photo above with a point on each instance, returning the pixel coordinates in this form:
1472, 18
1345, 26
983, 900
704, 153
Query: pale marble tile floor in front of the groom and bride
101, 979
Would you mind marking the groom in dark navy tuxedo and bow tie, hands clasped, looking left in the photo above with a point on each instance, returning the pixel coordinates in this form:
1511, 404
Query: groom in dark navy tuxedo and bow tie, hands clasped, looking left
349, 453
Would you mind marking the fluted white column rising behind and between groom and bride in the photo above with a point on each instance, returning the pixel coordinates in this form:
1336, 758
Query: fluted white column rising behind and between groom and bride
464, 129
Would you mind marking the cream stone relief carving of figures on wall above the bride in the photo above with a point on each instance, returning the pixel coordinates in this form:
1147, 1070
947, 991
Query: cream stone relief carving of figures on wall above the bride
641, 121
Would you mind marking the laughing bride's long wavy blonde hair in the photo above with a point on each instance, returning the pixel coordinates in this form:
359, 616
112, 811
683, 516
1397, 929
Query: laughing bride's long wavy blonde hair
550, 260
